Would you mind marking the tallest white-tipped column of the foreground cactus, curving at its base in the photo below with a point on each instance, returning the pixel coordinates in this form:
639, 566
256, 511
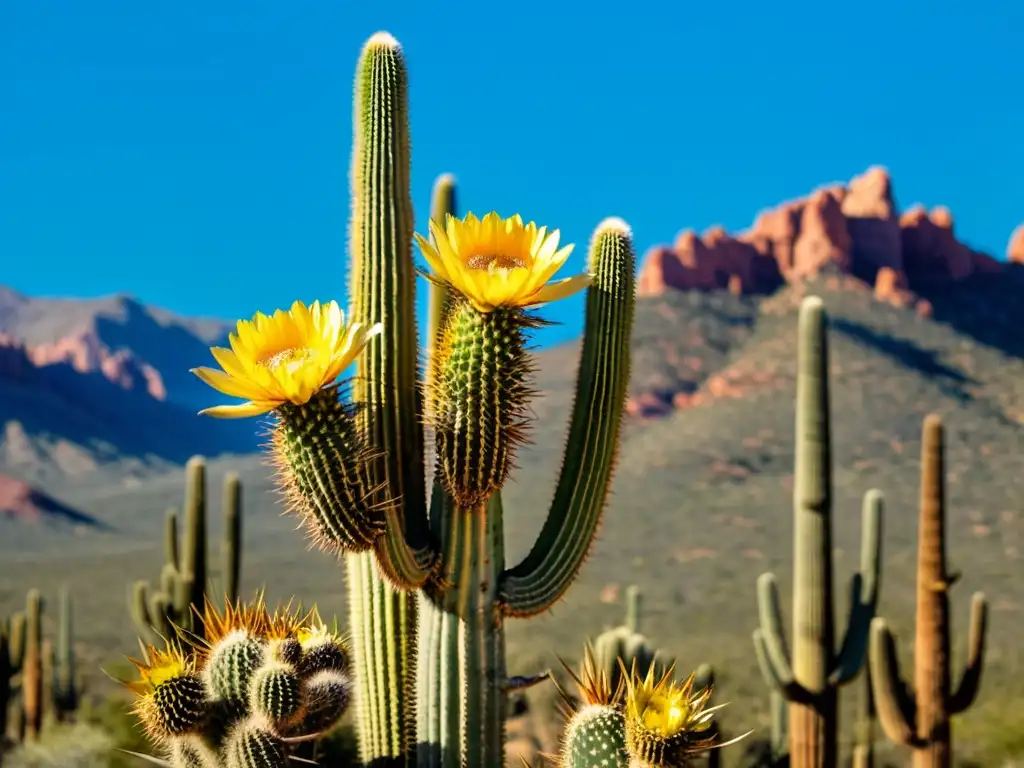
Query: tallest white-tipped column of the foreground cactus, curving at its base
383, 287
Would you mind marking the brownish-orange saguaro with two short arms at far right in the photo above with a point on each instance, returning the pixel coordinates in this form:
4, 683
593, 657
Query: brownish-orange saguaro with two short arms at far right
921, 719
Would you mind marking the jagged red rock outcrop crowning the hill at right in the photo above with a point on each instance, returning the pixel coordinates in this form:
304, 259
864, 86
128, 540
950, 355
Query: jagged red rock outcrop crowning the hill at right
852, 230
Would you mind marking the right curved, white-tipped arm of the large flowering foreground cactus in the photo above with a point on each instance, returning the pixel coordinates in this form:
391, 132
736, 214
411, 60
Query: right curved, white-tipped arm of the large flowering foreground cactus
542, 578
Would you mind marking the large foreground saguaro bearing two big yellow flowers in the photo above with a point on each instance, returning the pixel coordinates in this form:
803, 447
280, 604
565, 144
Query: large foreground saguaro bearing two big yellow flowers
356, 473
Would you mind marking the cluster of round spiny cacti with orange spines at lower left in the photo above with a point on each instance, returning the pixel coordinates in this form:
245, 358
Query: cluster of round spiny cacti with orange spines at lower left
249, 691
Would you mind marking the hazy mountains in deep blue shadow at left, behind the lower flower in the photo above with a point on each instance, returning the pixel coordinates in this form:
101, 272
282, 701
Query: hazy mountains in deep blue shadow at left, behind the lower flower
86, 383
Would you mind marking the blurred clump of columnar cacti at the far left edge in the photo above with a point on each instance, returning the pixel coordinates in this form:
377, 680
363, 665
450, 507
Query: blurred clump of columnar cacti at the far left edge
39, 680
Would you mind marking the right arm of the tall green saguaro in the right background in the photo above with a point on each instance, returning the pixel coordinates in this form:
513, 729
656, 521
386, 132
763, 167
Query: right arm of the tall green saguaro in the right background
864, 592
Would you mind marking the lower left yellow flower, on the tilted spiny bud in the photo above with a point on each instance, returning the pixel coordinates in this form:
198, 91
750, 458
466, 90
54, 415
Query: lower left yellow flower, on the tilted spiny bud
285, 358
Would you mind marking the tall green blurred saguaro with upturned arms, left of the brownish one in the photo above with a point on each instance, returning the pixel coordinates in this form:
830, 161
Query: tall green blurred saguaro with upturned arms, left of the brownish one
810, 678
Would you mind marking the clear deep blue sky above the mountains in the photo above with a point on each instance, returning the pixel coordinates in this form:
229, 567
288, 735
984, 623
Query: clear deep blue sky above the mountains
196, 155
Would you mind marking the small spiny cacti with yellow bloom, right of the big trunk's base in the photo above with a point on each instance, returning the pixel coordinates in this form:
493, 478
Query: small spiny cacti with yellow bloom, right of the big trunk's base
648, 721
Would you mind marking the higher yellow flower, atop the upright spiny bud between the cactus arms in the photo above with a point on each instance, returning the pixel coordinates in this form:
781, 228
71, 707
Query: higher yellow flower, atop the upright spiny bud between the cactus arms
496, 263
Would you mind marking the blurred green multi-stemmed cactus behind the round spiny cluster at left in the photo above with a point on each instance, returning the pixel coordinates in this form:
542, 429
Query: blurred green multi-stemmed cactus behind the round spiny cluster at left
184, 580
